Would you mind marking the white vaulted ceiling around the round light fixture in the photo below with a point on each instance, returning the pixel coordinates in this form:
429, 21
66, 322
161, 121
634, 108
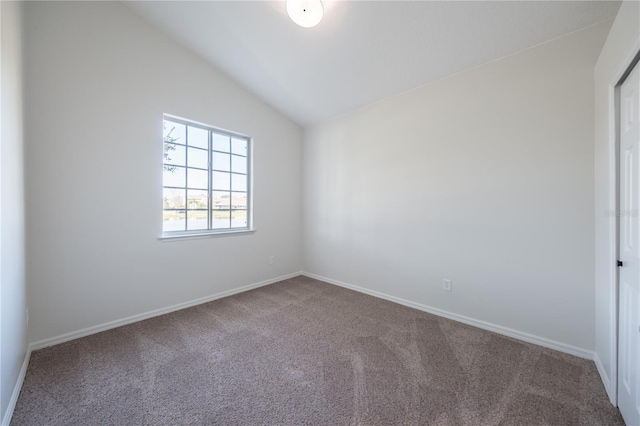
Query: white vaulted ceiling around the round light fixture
362, 51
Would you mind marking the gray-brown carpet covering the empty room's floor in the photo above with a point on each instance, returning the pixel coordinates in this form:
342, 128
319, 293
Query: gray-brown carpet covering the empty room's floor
303, 352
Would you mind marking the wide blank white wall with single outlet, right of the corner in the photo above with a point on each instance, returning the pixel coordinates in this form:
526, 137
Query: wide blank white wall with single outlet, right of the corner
485, 178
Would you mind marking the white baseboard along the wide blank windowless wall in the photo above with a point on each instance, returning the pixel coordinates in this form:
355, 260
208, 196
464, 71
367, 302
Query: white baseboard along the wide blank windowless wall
505, 331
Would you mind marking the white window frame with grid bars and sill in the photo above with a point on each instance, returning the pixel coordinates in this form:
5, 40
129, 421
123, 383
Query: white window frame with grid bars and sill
210, 231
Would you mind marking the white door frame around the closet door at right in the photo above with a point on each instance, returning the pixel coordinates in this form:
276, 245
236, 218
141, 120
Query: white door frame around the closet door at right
624, 69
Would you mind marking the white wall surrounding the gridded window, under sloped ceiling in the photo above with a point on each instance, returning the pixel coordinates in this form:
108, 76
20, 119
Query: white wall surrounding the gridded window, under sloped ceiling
98, 80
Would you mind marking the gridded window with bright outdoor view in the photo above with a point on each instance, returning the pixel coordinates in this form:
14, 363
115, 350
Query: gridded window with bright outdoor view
206, 179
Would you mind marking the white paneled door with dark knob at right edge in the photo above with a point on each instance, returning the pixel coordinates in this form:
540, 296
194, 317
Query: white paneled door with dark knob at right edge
629, 321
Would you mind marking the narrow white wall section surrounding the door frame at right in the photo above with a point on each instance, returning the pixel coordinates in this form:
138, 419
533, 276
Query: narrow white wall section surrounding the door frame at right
624, 33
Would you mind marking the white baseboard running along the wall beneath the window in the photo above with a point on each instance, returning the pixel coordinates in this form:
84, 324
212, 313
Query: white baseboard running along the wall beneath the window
139, 317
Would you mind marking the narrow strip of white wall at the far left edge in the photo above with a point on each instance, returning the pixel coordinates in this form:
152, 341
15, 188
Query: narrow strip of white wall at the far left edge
13, 344
